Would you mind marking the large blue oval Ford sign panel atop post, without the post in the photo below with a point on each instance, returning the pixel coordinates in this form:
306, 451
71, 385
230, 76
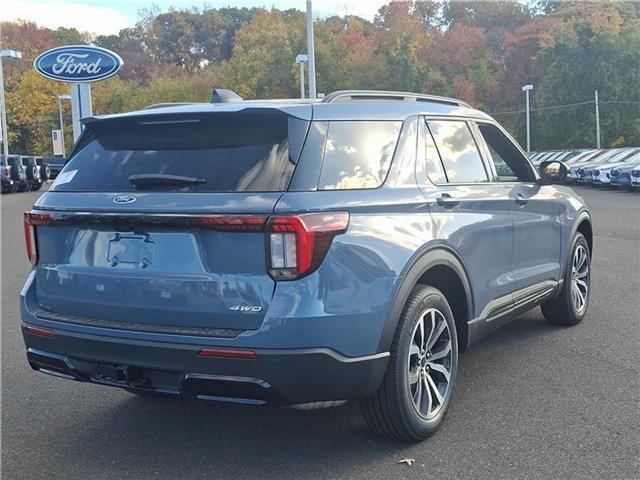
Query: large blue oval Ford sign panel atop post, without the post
78, 63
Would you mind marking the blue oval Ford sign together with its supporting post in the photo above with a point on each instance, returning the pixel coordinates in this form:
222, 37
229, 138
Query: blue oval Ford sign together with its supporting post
79, 65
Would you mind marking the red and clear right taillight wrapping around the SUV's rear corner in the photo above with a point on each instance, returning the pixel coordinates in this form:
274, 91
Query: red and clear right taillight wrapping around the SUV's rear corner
297, 244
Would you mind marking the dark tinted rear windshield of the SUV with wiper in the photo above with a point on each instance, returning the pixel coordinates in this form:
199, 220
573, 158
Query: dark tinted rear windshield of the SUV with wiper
231, 152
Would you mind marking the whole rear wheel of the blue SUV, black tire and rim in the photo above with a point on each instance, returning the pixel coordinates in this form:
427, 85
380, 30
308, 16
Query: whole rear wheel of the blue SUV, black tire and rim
392, 410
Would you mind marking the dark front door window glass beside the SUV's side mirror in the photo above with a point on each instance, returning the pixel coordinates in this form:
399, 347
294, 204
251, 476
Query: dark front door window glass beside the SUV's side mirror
510, 164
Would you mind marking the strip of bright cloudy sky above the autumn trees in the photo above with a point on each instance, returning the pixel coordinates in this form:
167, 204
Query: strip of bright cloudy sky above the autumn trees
104, 17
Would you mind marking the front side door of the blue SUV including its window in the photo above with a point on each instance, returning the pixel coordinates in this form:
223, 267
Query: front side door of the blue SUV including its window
535, 210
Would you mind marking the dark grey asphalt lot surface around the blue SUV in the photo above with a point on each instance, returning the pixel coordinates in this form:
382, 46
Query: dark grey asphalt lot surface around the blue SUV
532, 401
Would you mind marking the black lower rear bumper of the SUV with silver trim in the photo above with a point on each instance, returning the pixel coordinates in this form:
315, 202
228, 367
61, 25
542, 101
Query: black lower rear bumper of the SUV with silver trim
280, 377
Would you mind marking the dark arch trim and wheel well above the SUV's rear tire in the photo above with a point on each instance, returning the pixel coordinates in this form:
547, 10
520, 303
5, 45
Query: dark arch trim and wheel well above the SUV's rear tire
439, 267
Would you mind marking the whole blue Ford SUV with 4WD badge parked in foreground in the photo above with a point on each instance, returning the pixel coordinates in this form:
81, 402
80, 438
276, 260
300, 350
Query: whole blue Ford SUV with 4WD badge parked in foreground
290, 252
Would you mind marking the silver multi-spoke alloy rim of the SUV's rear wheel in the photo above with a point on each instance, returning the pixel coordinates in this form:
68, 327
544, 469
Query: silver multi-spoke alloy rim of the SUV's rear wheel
430, 361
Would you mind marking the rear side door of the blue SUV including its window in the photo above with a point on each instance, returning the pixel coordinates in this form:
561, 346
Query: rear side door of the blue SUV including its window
470, 213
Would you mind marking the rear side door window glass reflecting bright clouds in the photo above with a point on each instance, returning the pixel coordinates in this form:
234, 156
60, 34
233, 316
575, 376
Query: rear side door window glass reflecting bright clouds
458, 150
